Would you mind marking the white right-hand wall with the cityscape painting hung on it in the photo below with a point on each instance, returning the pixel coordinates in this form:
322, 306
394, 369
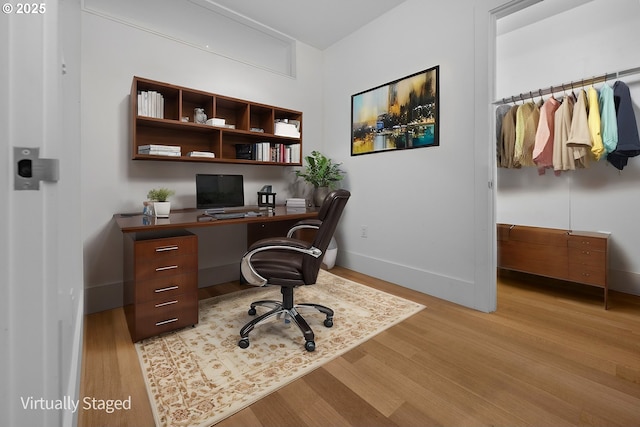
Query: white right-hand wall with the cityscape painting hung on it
427, 210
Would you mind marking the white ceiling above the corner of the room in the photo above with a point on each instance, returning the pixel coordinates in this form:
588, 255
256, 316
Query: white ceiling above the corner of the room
318, 23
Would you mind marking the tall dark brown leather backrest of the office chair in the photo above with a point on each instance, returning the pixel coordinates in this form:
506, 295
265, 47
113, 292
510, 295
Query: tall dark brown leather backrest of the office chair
329, 214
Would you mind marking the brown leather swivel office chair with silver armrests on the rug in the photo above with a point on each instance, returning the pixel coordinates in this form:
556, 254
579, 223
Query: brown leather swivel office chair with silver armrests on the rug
288, 262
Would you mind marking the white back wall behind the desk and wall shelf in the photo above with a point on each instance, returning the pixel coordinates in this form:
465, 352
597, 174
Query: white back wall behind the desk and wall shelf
112, 53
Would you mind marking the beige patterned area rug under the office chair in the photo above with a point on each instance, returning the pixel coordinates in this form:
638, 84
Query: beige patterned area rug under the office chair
199, 376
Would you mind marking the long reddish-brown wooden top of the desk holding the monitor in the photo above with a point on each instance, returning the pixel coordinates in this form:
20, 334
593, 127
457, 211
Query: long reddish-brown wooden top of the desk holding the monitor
194, 218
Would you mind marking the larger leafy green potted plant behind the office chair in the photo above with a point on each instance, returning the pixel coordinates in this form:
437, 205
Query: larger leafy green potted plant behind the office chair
322, 173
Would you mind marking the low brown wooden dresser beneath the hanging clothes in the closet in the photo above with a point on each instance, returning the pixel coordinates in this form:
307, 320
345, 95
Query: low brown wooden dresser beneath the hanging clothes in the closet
576, 256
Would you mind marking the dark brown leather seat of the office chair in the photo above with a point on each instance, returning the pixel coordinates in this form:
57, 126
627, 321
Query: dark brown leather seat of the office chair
280, 268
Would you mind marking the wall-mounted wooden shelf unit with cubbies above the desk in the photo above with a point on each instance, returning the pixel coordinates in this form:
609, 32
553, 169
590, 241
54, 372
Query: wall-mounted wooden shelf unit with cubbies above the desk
246, 117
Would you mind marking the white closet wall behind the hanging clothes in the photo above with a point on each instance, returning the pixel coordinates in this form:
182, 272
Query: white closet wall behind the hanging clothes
596, 38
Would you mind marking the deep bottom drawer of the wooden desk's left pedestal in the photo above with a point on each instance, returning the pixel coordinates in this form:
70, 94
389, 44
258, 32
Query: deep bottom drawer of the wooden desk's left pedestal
155, 317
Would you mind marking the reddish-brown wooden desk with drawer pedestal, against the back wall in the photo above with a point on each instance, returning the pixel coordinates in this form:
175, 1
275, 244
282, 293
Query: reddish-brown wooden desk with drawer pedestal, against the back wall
161, 263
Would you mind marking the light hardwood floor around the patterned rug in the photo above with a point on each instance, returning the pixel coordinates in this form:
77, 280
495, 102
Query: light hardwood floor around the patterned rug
549, 356
